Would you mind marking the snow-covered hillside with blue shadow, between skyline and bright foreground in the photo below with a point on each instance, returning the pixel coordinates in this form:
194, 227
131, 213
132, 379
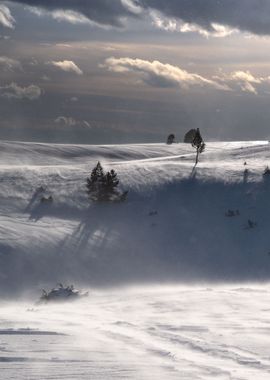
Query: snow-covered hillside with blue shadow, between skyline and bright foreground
173, 226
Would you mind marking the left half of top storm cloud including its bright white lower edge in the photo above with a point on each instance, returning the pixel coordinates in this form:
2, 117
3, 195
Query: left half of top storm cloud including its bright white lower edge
101, 12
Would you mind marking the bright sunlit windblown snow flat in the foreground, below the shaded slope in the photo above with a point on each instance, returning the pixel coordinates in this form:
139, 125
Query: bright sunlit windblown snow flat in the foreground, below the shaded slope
160, 333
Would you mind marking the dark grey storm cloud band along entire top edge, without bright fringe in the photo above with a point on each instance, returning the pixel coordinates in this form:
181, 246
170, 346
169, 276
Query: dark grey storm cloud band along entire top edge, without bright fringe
248, 15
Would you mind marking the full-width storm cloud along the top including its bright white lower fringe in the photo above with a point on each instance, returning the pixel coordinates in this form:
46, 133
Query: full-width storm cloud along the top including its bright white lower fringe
207, 17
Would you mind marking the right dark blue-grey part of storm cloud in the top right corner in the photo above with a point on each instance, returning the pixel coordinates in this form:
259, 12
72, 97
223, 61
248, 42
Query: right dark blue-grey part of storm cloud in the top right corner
248, 15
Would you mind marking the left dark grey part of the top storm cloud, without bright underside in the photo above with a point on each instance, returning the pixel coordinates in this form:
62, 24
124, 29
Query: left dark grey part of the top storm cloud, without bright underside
105, 12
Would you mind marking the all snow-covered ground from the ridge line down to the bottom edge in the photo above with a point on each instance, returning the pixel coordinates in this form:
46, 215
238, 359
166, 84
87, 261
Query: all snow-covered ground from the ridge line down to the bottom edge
178, 225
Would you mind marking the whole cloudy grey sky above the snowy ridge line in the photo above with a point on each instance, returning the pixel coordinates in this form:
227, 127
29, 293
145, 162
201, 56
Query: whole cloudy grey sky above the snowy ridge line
134, 71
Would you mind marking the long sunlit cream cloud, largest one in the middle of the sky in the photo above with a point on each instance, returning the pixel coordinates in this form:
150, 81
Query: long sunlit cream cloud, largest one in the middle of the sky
158, 74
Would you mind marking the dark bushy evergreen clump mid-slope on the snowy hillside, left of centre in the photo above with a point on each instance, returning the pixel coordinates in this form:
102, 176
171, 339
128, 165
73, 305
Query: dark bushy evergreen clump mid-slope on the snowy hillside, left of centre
103, 187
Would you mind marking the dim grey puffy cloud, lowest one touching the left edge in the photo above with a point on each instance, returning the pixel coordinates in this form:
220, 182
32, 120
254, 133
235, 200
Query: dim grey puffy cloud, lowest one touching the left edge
14, 91
